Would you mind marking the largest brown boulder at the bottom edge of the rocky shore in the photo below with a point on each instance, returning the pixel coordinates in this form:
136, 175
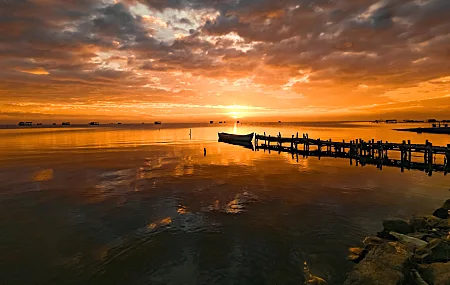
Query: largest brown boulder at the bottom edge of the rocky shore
383, 265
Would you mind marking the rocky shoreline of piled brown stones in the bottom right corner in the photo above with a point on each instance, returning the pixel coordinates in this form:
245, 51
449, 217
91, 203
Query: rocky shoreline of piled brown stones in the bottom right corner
414, 251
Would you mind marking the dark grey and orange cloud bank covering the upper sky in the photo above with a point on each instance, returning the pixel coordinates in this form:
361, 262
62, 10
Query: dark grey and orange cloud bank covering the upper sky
100, 46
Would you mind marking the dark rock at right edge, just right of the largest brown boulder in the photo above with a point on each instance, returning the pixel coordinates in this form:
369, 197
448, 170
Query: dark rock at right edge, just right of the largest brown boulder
437, 250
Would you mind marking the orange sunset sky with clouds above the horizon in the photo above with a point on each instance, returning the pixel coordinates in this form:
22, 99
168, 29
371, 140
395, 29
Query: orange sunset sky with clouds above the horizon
201, 60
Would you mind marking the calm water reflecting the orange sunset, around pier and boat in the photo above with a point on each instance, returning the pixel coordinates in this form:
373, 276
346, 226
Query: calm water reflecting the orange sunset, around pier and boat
142, 205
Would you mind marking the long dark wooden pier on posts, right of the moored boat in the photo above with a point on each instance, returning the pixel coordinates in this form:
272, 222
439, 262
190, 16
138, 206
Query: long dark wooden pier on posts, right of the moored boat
405, 155
